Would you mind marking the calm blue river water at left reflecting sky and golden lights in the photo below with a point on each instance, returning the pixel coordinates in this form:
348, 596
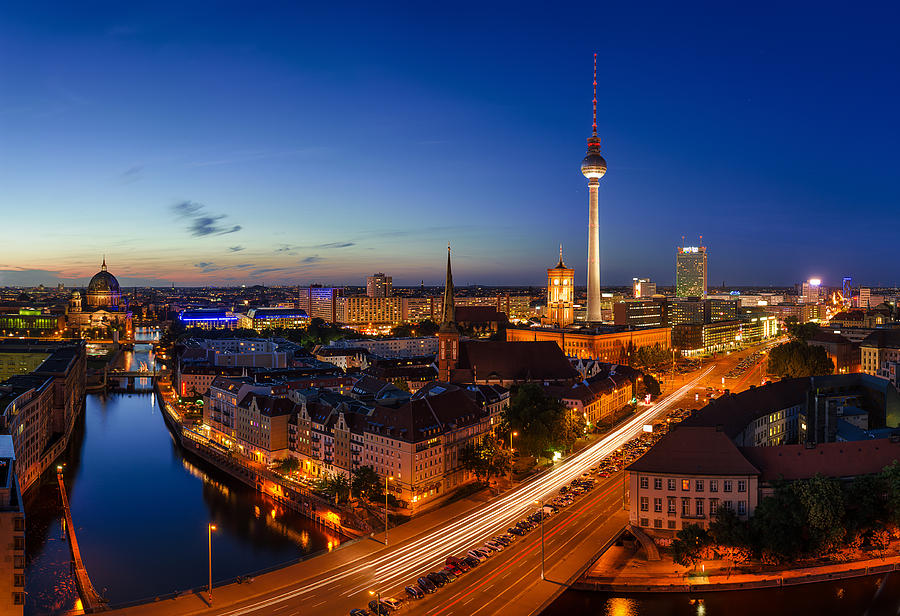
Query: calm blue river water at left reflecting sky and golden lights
141, 510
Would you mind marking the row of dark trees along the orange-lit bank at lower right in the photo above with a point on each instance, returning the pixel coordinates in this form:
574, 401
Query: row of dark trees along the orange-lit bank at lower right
804, 518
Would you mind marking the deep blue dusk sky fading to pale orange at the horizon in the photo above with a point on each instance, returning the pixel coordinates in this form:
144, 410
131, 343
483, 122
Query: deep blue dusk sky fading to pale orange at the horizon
207, 143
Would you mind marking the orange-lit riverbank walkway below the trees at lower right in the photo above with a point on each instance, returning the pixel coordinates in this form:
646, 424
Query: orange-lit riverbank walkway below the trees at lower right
618, 570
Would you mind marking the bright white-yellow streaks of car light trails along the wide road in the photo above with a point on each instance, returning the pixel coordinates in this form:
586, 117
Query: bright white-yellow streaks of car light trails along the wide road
415, 558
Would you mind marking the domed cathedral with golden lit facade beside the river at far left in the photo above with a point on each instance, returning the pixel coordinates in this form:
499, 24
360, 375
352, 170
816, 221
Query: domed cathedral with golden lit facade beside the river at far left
101, 307
